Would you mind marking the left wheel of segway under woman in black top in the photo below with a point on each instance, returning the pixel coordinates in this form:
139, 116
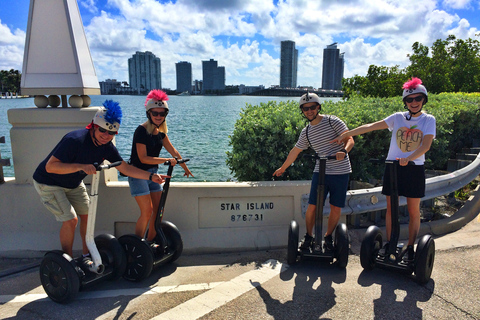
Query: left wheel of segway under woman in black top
139, 258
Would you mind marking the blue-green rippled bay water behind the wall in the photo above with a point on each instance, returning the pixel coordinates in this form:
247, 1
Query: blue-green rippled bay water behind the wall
199, 128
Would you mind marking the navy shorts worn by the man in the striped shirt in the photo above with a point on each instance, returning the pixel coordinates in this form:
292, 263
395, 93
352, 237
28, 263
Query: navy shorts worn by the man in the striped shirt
335, 184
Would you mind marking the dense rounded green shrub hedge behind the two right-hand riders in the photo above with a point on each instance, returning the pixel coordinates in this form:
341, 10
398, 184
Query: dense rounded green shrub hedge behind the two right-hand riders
264, 134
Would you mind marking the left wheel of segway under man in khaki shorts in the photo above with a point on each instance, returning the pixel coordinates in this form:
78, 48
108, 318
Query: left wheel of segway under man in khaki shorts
59, 277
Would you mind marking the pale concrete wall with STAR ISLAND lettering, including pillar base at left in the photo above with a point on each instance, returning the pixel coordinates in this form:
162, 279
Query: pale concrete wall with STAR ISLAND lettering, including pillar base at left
221, 216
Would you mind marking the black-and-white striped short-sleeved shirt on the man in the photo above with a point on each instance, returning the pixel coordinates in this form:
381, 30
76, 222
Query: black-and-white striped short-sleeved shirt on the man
320, 136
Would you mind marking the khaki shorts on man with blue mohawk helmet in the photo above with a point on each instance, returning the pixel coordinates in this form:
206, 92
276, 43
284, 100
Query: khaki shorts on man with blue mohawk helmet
64, 203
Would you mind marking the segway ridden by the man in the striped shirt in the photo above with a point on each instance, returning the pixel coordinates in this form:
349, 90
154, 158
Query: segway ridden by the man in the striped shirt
341, 241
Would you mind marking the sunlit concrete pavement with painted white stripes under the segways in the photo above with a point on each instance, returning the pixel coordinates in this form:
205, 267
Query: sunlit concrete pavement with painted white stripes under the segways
260, 285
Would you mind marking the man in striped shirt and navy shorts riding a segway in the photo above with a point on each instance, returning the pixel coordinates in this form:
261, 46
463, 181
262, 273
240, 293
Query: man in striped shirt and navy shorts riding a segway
317, 134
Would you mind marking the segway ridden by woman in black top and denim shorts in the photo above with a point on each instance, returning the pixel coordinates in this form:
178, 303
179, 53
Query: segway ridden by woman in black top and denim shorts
143, 257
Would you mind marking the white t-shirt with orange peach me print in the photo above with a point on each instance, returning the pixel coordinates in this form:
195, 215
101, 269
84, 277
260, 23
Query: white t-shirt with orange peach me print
408, 135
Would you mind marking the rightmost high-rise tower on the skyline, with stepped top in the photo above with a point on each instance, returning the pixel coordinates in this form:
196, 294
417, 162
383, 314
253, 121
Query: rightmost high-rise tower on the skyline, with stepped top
333, 66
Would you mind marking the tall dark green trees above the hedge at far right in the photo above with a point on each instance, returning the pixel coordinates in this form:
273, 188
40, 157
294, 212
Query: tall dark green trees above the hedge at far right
450, 65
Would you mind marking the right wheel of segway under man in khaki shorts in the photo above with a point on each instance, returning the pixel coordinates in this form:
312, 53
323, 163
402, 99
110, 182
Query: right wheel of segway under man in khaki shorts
112, 253
